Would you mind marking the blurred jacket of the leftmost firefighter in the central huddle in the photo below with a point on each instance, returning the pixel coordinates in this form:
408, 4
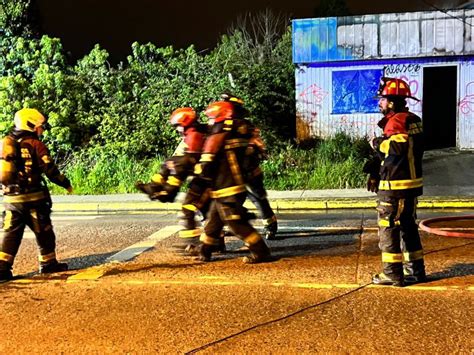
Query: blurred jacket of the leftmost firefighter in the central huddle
176, 169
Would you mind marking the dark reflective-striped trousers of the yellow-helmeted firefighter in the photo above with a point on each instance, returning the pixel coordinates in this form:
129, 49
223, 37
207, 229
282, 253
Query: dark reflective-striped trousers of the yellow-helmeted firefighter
35, 215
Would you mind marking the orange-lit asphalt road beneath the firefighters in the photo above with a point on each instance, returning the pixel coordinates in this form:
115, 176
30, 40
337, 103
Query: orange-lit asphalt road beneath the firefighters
315, 298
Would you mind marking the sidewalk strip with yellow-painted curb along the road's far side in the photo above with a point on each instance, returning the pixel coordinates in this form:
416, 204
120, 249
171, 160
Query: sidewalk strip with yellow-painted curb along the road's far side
280, 201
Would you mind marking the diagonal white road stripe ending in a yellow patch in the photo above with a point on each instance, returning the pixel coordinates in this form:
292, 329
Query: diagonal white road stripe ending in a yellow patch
94, 273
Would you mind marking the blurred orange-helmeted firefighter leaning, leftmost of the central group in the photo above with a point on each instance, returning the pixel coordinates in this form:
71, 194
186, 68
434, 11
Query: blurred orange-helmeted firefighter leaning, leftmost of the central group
174, 172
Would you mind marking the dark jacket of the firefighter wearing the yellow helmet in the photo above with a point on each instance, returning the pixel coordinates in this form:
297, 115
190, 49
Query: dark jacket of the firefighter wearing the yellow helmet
32, 161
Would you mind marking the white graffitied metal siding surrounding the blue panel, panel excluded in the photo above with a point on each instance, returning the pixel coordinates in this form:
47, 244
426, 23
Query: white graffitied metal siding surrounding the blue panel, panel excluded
314, 98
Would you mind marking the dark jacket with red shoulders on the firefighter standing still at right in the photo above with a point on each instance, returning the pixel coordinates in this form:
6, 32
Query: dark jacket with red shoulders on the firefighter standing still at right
401, 153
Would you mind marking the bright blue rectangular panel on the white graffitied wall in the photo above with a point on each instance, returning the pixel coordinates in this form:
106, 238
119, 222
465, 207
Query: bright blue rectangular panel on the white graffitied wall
353, 91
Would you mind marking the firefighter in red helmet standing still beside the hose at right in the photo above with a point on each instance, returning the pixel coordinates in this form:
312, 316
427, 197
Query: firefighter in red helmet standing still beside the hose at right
398, 182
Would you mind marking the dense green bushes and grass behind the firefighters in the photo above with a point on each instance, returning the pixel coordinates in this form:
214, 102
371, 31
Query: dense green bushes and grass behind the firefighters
111, 123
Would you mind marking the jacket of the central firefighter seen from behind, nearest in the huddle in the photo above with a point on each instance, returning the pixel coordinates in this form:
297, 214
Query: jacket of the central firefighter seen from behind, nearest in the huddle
224, 157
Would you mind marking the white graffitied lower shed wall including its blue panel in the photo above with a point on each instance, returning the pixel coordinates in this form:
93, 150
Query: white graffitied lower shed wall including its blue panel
340, 98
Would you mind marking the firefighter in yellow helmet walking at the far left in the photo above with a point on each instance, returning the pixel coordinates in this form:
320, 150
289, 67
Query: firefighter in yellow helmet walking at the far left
26, 199
